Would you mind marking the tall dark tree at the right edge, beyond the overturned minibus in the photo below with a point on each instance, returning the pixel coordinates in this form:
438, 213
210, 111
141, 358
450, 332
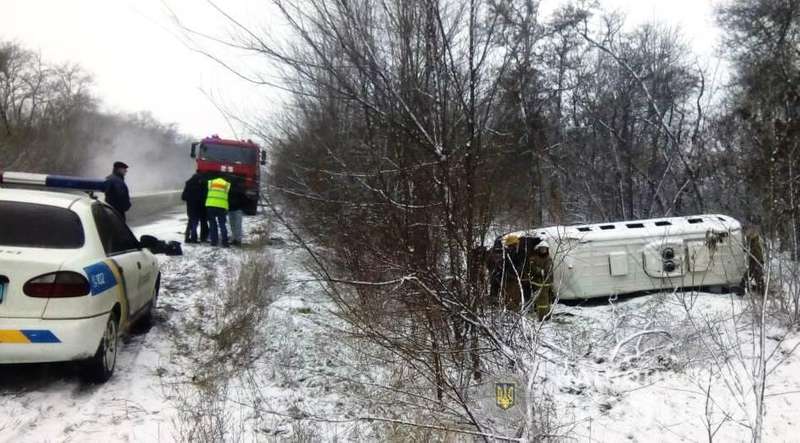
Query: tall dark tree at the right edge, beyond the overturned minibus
764, 109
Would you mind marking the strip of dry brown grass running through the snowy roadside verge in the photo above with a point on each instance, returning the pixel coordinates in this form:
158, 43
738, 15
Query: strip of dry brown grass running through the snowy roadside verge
226, 345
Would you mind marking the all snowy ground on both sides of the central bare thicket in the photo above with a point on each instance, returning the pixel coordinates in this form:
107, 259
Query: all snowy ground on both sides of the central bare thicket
217, 367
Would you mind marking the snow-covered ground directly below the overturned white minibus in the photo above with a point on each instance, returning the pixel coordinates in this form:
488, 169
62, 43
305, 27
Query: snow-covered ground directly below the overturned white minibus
691, 374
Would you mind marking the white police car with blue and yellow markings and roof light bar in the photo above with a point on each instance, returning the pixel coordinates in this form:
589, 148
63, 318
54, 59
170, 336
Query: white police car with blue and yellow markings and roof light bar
72, 275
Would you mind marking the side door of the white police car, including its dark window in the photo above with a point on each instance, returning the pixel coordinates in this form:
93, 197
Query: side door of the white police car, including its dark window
122, 247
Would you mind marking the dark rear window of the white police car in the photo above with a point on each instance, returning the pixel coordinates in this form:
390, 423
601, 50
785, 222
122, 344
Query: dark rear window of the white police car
30, 225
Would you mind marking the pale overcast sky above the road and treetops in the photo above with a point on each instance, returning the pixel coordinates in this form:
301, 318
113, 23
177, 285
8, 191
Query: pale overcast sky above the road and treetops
138, 64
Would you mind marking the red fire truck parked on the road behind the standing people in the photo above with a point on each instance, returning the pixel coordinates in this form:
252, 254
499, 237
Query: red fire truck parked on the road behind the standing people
234, 159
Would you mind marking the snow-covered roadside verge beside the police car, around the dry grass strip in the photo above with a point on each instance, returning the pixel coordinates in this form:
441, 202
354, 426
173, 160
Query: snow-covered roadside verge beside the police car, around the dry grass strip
157, 372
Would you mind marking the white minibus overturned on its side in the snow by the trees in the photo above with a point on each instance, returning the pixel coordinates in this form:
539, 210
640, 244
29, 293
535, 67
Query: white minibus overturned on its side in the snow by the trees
603, 259
